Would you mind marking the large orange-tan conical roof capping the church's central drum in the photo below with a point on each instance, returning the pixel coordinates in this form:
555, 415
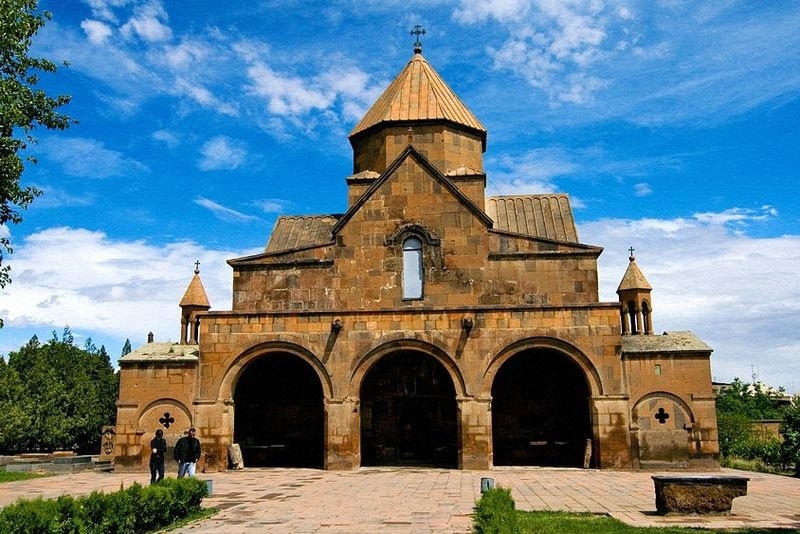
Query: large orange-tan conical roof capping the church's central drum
418, 93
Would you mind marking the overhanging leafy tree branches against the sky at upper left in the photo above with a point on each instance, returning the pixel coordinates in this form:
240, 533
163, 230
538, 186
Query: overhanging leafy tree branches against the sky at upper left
23, 108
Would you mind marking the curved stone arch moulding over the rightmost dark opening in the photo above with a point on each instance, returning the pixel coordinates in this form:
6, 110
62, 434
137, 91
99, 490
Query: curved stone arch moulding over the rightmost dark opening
575, 354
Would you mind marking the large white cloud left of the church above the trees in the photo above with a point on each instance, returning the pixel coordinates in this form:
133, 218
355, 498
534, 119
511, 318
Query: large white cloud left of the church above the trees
112, 289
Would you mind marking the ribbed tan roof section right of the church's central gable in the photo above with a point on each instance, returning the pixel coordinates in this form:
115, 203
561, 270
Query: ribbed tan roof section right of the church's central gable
548, 216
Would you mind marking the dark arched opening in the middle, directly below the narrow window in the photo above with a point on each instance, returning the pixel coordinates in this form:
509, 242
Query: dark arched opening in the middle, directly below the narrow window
408, 413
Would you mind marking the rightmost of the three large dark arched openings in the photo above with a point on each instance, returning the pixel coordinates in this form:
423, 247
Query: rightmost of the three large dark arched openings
540, 411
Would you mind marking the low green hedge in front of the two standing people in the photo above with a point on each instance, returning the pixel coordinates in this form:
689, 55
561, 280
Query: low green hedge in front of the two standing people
134, 510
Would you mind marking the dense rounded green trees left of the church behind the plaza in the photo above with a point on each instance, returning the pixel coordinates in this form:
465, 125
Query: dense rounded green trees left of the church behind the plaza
56, 395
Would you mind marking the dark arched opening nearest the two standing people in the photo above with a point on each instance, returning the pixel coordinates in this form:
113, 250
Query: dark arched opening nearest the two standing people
279, 413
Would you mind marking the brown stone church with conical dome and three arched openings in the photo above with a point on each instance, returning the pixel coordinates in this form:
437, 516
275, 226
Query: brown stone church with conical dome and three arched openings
427, 325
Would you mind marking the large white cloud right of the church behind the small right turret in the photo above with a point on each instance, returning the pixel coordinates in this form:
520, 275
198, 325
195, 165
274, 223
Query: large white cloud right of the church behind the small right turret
739, 294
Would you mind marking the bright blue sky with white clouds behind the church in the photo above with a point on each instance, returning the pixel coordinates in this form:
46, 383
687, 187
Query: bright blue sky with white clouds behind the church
672, 125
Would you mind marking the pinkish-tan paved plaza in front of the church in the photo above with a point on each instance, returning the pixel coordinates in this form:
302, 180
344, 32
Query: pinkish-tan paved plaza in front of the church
376, 500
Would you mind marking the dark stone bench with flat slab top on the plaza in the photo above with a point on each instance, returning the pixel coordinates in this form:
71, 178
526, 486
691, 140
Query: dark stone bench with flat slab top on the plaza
697, 494
